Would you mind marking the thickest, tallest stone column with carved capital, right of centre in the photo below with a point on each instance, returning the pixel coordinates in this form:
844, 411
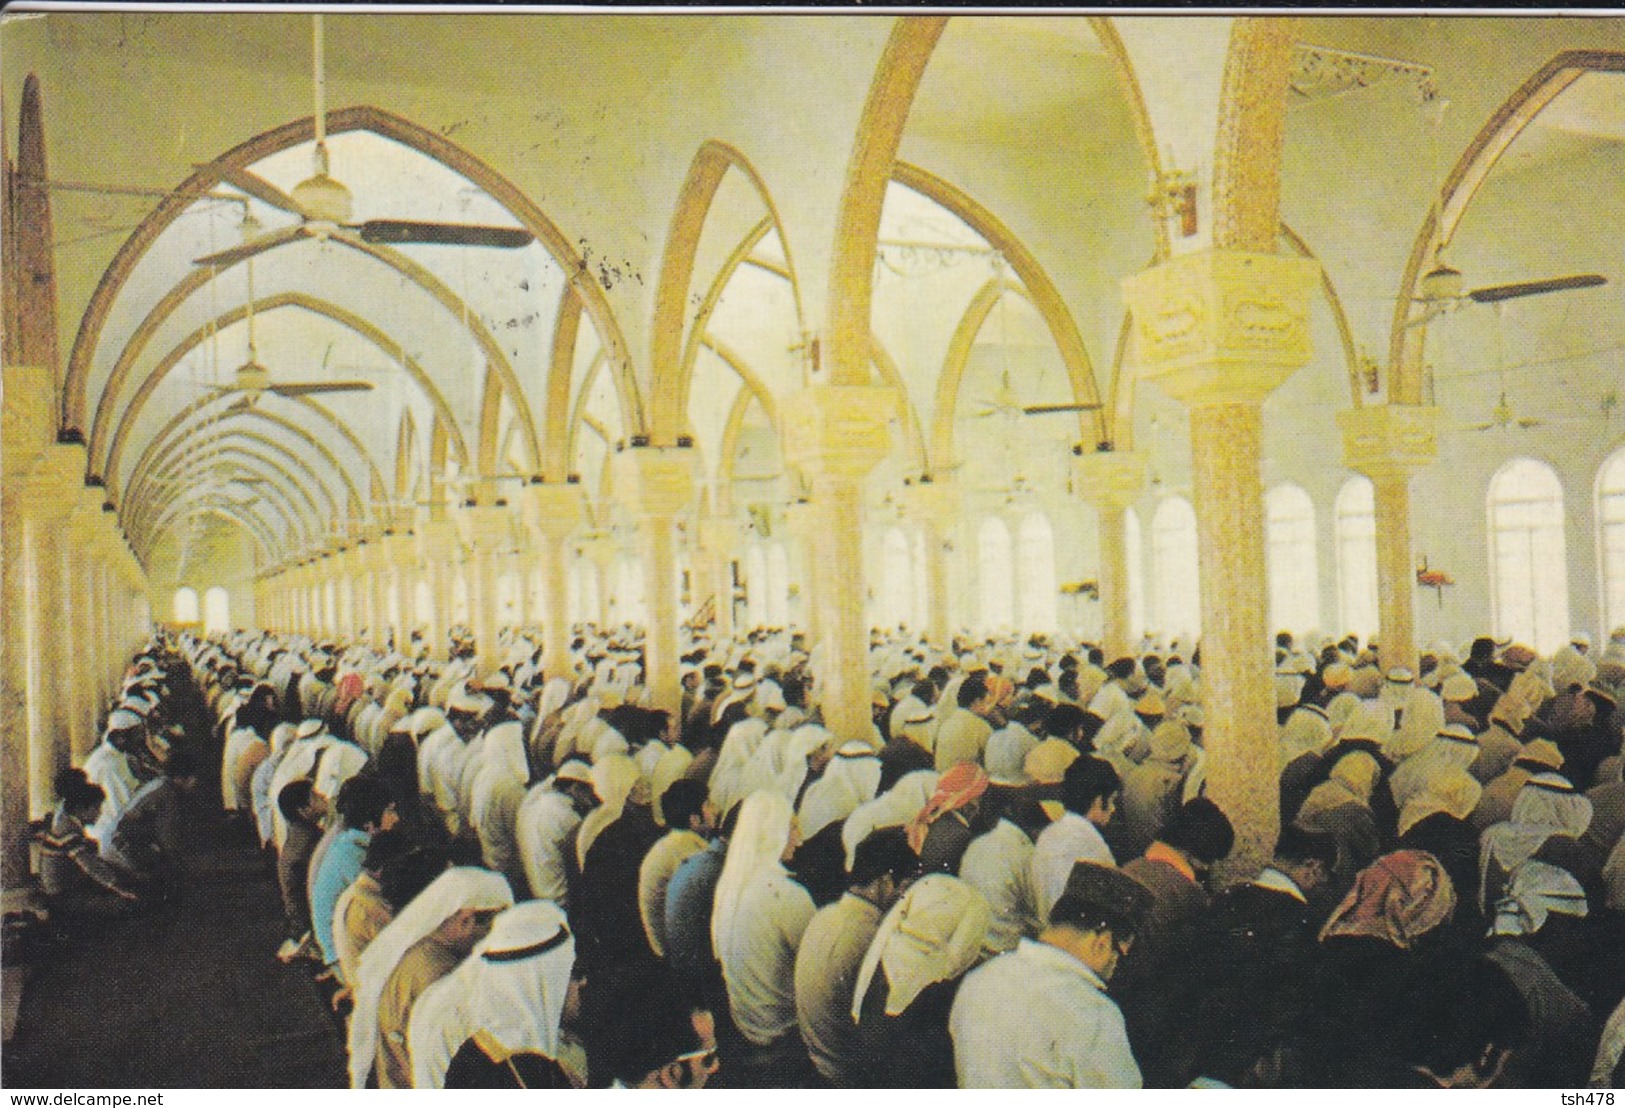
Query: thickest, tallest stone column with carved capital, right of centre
1220, 331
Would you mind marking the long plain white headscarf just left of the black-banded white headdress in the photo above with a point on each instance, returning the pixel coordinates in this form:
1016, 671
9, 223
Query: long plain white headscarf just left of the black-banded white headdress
451, 893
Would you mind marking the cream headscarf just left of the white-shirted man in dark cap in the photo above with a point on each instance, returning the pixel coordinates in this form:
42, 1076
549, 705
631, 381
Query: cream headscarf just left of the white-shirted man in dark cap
932, 935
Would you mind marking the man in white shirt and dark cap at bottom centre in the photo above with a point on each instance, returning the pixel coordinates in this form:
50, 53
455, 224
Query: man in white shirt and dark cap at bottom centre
1068, 1032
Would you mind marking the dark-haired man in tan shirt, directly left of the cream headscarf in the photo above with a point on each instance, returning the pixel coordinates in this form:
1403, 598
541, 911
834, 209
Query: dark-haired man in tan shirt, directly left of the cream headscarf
833, 950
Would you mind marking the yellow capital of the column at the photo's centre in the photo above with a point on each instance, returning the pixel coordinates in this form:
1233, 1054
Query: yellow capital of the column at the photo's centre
839, 431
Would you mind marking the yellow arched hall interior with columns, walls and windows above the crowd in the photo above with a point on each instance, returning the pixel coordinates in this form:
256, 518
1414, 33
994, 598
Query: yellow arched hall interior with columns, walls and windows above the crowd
791, 285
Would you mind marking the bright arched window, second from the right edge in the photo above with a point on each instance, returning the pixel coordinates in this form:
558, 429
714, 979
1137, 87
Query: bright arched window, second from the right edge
1528, 560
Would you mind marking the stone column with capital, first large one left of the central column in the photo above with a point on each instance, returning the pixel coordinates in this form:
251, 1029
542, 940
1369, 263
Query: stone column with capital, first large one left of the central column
656, 485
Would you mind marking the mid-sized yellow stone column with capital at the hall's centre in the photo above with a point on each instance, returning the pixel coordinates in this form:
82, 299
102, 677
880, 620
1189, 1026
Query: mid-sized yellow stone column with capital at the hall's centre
836, 435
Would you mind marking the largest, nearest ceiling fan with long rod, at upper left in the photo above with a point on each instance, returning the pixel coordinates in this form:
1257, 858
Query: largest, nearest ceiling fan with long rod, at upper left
324, 204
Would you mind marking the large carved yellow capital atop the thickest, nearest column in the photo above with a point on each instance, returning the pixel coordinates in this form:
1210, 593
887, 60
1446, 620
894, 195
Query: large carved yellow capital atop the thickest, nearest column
1221, 326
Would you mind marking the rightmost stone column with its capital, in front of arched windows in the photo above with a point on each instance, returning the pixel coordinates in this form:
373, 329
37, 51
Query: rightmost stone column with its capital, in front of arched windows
1389, 444
